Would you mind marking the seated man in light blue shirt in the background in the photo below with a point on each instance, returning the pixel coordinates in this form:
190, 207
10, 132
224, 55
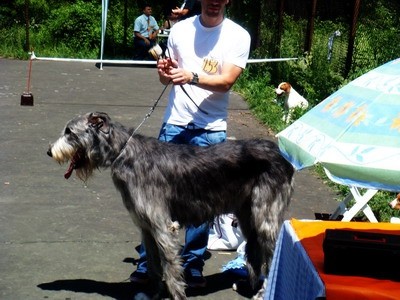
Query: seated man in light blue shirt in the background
145, 33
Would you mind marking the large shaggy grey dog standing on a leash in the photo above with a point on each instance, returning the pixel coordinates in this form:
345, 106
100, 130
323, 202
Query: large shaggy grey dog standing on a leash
163, 184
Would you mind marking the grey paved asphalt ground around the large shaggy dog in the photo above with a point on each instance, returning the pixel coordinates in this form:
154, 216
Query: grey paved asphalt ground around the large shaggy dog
62, 239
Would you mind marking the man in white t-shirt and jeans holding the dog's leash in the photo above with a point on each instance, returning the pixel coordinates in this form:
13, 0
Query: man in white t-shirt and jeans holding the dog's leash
206, 55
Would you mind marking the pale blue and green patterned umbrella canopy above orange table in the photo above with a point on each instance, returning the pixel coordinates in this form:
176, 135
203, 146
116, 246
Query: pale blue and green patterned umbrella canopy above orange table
354, 133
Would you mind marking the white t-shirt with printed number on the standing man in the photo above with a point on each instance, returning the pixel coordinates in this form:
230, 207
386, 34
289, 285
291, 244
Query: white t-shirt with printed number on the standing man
204, 50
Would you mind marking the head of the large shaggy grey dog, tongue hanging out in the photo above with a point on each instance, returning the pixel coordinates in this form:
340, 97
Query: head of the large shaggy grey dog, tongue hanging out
79, 143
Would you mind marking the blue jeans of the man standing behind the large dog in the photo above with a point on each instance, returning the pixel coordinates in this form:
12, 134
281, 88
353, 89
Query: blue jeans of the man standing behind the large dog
196, 238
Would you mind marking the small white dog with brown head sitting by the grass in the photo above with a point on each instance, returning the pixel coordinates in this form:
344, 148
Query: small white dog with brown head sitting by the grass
291, 98
